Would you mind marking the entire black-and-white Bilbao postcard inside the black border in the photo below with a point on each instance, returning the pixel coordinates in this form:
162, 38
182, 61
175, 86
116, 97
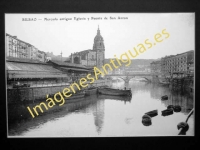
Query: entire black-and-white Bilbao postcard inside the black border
100, 74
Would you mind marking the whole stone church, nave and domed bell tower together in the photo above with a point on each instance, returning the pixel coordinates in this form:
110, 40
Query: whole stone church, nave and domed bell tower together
91, 58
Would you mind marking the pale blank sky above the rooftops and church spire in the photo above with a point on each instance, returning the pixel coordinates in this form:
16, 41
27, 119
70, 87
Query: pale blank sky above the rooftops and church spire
120, 35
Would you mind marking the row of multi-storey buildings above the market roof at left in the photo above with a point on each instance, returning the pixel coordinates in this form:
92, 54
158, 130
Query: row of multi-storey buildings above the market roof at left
20, 49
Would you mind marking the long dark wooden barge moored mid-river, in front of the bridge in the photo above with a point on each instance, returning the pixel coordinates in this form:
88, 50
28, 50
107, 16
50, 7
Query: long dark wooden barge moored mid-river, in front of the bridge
111, 91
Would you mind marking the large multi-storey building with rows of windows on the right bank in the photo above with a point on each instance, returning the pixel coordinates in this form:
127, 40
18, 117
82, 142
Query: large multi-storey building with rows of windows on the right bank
177, 63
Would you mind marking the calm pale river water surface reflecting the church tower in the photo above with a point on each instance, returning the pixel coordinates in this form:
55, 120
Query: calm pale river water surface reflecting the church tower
108, 116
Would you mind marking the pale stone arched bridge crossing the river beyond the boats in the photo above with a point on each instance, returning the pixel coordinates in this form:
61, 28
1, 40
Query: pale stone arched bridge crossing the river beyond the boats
127, 77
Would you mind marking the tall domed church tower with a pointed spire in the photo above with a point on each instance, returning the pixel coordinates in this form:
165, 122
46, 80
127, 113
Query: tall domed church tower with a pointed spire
99, 47
